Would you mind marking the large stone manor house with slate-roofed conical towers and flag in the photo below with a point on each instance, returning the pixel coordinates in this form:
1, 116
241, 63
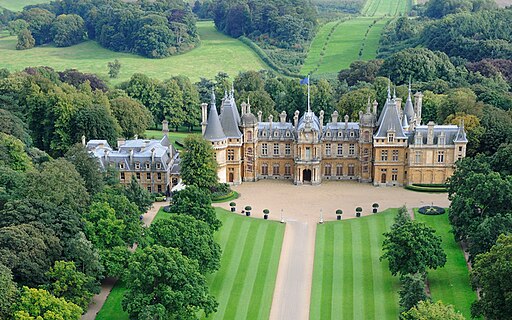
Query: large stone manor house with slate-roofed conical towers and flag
393, 149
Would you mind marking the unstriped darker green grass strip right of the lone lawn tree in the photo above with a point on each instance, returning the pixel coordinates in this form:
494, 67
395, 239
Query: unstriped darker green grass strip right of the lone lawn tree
449, 284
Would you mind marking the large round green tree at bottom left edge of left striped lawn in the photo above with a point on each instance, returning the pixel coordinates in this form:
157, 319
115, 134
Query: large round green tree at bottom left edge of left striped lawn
164, 279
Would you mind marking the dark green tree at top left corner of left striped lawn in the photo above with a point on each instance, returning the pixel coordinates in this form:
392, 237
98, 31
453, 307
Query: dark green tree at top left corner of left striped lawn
195, 202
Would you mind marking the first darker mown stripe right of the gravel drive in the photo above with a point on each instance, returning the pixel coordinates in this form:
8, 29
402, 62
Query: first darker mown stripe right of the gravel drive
327, 282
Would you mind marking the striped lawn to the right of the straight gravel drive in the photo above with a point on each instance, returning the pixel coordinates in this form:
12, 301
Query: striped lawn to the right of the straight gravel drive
349, 280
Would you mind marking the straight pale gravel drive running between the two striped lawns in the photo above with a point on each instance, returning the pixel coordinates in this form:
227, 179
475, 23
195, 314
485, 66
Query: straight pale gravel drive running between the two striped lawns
295, 273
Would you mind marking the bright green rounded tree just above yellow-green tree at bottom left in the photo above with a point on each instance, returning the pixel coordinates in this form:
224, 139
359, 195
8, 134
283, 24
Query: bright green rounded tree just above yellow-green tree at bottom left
68, 283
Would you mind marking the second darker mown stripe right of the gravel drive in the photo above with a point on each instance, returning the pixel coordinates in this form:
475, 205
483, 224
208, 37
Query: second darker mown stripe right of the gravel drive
348, 277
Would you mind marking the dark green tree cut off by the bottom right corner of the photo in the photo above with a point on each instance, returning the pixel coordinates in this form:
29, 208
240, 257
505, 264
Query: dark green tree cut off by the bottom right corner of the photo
491, 274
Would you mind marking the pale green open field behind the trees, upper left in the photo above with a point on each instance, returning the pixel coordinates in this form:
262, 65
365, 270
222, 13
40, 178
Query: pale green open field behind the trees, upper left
217, 53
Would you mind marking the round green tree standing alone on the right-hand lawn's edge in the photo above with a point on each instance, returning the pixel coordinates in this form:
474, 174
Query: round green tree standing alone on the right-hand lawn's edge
412, 247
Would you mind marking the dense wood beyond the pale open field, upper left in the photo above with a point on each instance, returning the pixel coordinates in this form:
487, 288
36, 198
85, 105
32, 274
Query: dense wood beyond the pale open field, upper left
153, 29
